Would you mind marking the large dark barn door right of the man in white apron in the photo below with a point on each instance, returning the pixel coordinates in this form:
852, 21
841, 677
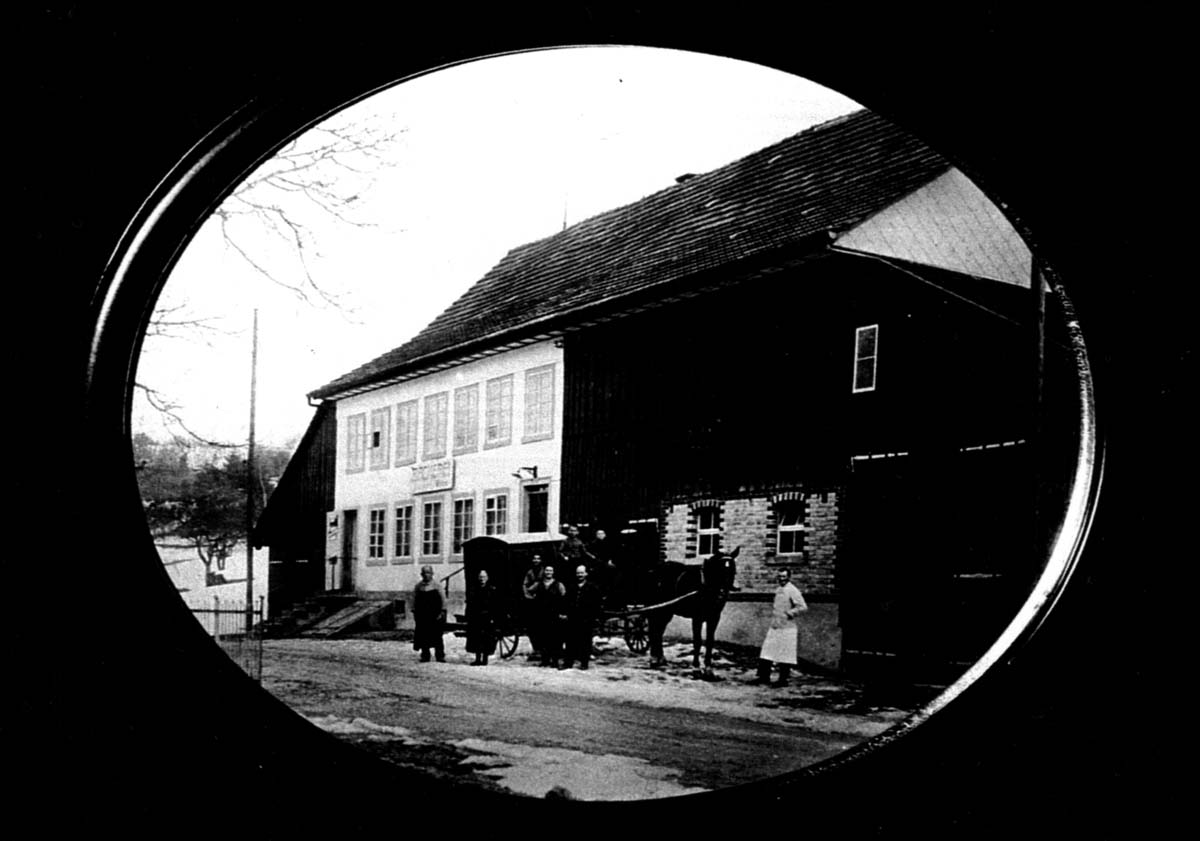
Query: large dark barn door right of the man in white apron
937, 557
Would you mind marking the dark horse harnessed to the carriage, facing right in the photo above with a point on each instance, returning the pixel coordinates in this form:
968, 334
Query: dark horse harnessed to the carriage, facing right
705, 590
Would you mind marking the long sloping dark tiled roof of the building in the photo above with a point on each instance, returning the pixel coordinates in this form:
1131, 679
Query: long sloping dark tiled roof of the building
826, 178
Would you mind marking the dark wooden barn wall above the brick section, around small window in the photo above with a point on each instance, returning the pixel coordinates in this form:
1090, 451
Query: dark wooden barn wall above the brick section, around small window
749, 388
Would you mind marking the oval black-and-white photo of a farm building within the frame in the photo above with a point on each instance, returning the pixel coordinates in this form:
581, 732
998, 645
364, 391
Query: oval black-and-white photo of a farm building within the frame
665, 387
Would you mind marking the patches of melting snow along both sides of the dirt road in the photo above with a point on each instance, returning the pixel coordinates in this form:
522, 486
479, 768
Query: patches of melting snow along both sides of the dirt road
812, 702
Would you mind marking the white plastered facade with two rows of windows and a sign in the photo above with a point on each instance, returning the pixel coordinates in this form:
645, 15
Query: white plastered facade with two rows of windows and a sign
526, 461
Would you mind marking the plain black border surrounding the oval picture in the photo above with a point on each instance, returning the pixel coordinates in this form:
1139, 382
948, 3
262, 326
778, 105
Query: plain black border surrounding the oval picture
129, 711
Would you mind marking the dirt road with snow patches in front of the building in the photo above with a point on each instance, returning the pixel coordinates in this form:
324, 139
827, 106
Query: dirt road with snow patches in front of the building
620, 731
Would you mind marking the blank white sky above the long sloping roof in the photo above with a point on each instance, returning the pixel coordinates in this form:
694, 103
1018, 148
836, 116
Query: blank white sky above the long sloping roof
489, 155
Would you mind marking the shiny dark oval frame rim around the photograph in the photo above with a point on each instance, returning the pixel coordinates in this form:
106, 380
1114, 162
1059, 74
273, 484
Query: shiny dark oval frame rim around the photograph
169, 220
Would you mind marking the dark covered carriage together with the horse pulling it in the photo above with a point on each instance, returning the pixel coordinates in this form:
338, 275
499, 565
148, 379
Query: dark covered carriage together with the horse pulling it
639, 602
